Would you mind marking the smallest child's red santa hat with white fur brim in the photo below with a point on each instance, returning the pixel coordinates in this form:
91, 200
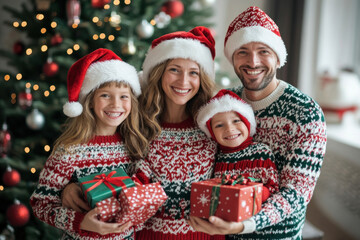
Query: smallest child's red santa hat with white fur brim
225, 101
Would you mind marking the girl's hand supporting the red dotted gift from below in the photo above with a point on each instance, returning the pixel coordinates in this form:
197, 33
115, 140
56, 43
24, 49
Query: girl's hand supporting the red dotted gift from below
93, 224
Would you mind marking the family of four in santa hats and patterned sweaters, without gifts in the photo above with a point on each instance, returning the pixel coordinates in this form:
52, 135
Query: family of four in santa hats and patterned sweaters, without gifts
166, 124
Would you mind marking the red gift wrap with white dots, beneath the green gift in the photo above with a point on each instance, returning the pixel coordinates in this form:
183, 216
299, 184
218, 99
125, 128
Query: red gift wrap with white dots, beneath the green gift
136, 204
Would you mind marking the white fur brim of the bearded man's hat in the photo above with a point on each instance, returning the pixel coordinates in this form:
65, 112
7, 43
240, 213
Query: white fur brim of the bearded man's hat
255, 34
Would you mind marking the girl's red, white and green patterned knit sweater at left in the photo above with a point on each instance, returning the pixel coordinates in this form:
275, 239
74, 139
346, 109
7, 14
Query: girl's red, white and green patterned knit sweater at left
101, 154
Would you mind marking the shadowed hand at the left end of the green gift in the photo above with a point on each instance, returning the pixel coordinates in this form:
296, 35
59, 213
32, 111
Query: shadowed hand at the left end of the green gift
72, 197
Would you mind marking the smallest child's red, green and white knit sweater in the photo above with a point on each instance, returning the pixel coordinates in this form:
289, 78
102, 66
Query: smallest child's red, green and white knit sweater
256, 160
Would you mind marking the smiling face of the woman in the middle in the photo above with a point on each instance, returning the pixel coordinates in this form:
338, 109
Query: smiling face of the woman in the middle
180, 81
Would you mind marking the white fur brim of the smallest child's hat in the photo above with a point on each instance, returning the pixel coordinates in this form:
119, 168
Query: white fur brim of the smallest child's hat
226, 103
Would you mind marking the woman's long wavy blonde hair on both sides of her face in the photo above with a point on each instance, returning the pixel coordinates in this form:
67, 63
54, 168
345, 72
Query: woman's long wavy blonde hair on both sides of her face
152, 100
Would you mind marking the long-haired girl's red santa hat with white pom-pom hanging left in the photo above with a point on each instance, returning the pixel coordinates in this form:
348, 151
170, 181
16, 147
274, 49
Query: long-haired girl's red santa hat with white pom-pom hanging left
92, 70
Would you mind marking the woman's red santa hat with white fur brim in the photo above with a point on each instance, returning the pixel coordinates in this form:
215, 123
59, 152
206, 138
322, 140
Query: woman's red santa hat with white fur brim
198, 45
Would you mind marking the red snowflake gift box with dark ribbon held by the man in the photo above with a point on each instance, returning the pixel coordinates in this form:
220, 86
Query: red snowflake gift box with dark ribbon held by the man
229, 198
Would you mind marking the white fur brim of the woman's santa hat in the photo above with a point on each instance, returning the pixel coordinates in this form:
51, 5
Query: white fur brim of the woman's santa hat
179, 48
